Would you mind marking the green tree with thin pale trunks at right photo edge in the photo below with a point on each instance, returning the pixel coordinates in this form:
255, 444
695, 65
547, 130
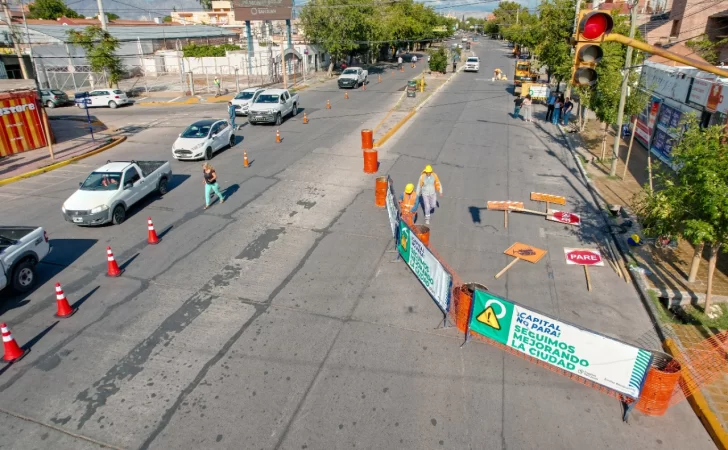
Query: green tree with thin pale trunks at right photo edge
692, 202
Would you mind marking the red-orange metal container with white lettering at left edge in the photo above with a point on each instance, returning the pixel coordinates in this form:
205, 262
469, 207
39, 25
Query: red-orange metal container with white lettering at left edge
21, 120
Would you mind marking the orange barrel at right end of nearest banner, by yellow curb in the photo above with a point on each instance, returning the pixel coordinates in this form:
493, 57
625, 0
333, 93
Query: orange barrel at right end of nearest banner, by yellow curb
660, 384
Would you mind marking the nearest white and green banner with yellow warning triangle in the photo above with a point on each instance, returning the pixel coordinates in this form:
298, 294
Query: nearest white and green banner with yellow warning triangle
608, 362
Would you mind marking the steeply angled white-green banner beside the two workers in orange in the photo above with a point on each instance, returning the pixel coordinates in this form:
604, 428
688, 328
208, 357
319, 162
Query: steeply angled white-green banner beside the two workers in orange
425, 266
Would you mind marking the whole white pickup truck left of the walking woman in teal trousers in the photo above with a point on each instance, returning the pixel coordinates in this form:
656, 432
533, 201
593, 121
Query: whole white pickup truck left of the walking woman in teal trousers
111, 190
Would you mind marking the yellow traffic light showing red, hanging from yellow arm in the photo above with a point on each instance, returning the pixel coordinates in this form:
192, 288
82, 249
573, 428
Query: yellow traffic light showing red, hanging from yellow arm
593, 25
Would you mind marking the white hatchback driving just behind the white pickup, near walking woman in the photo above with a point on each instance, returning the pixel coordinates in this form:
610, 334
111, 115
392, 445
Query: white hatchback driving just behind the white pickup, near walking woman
203, 139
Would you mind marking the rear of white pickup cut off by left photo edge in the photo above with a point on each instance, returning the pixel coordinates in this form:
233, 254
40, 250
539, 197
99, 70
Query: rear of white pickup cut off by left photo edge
21, 248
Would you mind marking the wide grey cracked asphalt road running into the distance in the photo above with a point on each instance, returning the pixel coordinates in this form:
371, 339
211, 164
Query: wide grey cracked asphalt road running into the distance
277, 319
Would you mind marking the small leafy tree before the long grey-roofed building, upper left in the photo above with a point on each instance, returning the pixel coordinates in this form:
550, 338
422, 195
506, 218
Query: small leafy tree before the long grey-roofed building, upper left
100, 48
